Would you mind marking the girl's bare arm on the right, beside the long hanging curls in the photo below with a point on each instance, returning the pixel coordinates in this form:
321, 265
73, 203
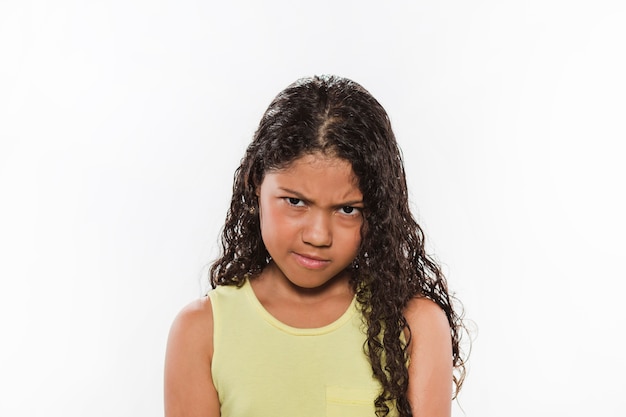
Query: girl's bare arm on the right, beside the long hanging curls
430, 368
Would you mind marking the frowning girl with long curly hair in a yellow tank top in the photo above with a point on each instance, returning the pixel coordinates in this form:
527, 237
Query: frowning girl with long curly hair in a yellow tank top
324, 301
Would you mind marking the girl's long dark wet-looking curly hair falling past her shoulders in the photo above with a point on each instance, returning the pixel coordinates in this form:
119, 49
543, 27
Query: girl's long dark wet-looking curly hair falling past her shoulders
337, 116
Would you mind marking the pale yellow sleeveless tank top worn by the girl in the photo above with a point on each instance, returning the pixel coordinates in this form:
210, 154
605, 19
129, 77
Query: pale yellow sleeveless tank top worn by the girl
263, 368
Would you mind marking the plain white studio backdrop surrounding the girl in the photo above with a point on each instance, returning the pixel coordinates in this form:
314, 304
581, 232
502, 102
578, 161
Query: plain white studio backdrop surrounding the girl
121, 123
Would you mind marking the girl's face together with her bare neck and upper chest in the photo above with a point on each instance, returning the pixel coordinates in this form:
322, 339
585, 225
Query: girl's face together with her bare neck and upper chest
311, 225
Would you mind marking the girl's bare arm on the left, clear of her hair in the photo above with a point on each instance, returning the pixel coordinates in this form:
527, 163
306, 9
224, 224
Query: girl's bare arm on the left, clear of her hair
189, 389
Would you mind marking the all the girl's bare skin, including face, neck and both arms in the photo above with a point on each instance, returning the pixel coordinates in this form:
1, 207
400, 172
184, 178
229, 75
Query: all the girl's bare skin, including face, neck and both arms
310, 223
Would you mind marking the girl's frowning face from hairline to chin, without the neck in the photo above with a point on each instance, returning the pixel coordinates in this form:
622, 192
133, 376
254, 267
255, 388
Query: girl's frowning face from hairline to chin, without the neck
311, 217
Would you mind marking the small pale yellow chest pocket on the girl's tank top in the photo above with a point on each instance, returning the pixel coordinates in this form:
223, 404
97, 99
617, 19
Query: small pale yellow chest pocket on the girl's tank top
350, 402
